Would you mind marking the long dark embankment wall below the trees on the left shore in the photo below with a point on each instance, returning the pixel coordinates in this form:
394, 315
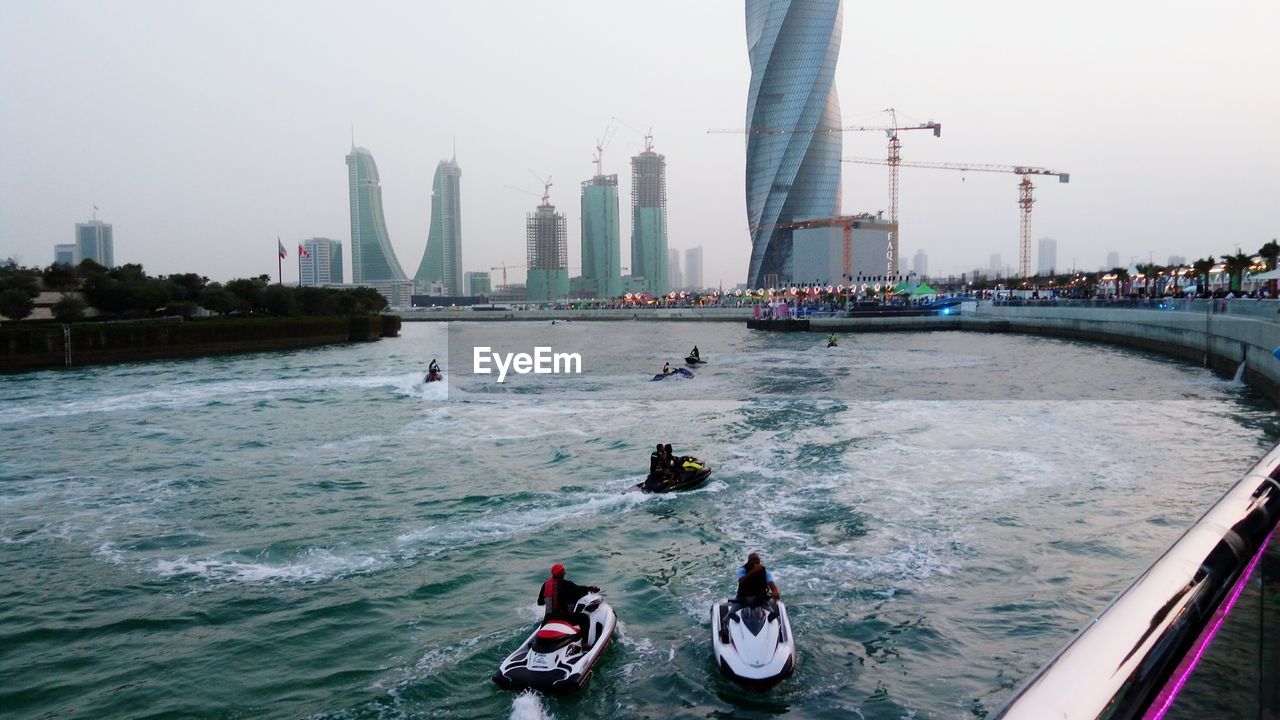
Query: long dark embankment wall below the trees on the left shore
28, 347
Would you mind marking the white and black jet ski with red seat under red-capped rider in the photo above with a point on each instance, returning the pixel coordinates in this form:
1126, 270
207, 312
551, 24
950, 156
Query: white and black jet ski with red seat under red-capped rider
552, 659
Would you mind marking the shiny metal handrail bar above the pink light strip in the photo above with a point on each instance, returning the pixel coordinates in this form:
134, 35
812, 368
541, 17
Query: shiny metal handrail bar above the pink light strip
1131, 660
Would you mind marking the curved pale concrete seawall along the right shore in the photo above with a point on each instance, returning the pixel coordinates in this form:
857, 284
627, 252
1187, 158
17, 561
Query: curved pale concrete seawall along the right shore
1200, 335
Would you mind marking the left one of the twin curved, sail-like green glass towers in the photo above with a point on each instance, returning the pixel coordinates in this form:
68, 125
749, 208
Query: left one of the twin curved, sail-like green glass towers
373, 261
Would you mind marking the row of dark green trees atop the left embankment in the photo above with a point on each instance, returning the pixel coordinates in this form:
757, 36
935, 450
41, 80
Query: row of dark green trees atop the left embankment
127, 291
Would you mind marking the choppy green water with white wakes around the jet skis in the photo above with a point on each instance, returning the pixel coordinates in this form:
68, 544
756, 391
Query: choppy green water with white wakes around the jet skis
318, 535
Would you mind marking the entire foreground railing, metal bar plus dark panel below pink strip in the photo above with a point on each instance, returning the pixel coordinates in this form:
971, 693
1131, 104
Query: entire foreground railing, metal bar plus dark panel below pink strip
1195, 636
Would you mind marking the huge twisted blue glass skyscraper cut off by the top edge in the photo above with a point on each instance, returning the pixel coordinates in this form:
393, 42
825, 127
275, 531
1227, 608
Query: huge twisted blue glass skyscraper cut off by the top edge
794, 175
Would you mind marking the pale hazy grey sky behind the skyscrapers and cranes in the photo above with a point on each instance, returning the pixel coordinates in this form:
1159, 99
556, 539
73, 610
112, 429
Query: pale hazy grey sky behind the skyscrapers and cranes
203, 131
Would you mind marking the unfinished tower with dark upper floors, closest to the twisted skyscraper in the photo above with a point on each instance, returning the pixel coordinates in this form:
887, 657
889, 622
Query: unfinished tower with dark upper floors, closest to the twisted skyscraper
650, 220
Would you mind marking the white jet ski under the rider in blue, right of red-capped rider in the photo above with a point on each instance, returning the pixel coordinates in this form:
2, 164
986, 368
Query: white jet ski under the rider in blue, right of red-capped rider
752, 642
